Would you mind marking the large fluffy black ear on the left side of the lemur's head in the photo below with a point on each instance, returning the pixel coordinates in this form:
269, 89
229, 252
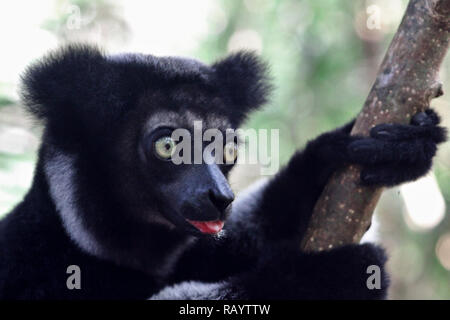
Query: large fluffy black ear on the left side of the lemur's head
63, 81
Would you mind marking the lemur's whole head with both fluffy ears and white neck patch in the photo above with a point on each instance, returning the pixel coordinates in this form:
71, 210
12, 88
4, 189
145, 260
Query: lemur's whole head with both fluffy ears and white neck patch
108, 144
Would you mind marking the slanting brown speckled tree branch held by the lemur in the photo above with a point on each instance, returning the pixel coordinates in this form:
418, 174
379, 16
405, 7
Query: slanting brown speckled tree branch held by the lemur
406, 82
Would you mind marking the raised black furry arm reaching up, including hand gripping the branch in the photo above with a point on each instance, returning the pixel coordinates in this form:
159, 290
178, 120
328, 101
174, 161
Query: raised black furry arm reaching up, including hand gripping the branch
391, 155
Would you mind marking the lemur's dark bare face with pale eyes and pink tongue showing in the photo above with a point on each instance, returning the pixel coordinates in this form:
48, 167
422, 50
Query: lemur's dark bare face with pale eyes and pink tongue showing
179, 170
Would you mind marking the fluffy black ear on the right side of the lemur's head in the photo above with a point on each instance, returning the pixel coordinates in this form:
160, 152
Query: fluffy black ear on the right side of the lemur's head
245, 80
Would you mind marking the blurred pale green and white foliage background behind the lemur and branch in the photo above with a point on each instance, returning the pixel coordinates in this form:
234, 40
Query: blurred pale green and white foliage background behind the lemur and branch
324, 57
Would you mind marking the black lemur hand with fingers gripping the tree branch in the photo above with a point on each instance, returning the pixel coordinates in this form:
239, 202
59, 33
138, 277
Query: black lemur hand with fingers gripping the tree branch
396, 153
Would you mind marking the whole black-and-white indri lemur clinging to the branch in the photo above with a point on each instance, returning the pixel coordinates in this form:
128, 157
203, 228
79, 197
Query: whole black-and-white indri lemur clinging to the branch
139, 226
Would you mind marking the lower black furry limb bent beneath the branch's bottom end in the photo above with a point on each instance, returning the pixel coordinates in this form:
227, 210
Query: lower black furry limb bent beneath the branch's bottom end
340, 273
